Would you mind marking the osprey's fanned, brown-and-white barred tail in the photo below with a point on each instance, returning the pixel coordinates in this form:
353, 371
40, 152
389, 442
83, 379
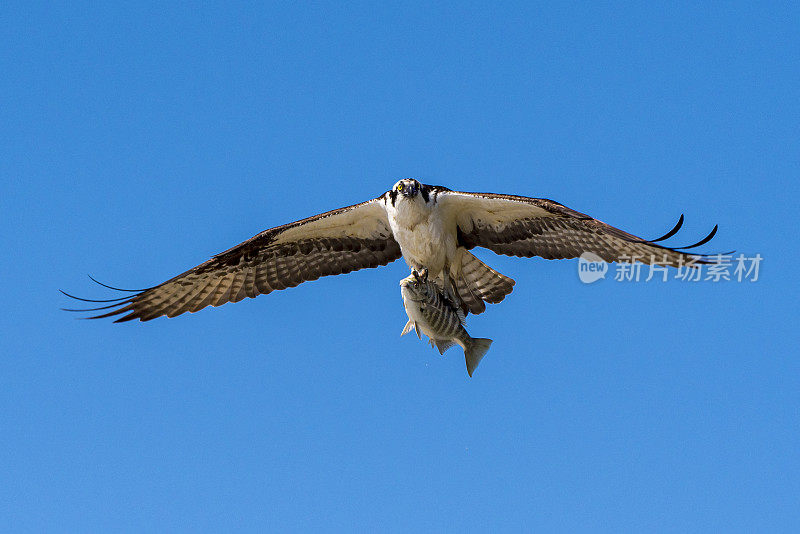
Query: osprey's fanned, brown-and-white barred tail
476, 282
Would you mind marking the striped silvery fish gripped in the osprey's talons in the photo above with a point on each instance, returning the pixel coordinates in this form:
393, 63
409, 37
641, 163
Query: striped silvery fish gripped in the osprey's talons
433, 312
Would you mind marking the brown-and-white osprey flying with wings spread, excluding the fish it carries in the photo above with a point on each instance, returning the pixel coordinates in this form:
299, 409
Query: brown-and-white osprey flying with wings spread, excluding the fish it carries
431, 227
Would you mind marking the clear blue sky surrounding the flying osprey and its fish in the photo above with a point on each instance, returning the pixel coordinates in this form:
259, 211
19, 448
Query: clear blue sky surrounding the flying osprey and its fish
137, 141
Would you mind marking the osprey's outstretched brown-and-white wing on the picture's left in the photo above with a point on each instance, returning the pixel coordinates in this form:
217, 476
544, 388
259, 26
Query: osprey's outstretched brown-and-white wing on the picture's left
339, 241
